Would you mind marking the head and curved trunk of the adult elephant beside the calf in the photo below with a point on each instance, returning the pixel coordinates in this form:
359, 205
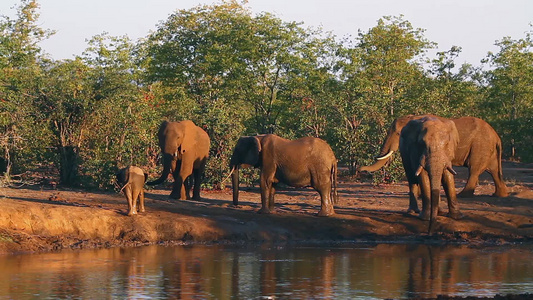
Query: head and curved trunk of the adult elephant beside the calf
175, 139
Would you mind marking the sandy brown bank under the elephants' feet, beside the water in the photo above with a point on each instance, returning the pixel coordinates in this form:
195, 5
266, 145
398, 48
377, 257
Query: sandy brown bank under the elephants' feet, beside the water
38, 218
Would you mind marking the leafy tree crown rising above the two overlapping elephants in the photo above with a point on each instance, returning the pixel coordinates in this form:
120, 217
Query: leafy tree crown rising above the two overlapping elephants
390, 63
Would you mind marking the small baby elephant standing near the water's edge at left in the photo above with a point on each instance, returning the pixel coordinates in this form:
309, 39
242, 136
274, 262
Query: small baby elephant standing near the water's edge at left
131, 181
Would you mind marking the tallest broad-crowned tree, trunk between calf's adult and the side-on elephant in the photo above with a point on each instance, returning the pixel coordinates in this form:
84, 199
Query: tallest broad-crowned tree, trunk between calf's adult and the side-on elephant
198, 58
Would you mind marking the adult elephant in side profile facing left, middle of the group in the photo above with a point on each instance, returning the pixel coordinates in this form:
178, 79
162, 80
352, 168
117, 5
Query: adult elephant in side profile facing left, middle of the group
303, 162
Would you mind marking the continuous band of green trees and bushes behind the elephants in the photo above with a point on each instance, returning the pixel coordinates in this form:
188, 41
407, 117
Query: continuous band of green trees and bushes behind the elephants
234, 73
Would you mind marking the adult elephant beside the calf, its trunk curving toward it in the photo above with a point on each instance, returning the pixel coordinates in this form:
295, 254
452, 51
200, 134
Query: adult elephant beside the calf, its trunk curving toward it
184, 148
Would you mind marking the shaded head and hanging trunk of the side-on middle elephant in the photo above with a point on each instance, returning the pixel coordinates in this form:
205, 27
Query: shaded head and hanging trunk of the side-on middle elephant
247, 152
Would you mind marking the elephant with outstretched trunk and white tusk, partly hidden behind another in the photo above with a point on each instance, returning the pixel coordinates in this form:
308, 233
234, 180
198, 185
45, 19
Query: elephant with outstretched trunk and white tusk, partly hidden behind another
479, 149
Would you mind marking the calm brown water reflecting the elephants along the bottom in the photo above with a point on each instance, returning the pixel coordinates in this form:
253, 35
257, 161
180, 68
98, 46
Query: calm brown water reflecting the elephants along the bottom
261, 272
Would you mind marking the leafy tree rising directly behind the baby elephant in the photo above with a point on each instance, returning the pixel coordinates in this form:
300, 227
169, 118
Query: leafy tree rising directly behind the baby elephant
124, 115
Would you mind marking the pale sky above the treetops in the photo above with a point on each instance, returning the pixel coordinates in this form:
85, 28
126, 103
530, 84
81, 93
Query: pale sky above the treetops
474, 25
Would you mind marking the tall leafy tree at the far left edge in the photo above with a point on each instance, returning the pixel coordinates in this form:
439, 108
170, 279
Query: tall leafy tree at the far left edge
21, 132
